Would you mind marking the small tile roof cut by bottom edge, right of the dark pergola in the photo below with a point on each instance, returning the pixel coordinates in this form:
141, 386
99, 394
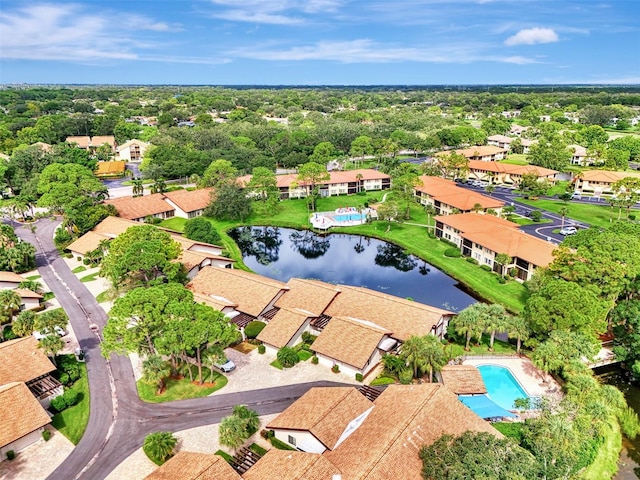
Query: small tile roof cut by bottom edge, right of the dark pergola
291, 465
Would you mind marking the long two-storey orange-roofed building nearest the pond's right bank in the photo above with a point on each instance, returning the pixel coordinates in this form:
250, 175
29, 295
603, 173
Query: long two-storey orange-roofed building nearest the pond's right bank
483, 237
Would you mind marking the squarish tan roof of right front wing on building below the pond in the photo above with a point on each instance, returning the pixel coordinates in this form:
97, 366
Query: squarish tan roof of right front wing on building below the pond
349, 340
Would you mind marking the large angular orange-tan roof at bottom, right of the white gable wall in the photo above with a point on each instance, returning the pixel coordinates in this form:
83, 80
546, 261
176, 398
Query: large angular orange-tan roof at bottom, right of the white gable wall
404, 419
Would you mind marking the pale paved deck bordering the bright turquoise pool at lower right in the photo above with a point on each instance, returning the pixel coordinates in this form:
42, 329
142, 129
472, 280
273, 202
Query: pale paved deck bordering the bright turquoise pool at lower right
535, 382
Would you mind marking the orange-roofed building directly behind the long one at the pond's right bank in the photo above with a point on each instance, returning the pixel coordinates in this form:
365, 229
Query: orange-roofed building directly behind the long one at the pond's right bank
447, 197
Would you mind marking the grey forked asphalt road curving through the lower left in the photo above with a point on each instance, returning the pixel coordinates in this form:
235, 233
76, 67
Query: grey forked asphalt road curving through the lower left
119, 420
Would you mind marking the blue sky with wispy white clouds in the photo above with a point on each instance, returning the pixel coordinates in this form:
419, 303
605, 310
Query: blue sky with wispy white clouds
320, 42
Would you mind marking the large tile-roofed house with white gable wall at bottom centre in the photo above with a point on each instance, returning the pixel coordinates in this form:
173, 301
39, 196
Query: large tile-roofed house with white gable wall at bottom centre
384, 440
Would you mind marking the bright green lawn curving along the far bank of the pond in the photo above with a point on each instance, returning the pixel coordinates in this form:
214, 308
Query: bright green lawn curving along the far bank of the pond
411, 235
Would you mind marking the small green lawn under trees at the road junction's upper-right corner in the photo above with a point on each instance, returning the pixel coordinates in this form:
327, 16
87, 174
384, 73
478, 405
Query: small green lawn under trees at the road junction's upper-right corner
181, 389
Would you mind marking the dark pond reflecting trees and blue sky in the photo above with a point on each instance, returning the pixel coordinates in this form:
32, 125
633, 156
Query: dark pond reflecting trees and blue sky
283, 253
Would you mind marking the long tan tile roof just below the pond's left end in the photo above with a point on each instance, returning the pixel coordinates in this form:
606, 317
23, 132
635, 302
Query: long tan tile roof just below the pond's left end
252, 293
